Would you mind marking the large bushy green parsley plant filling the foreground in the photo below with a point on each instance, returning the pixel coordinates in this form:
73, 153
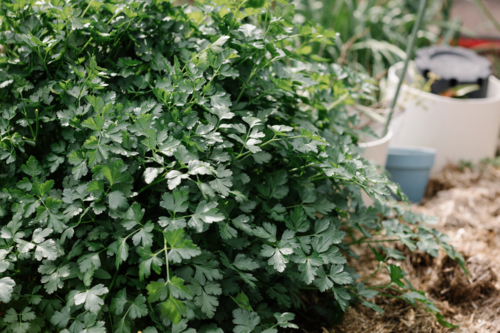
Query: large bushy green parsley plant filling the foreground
180, 166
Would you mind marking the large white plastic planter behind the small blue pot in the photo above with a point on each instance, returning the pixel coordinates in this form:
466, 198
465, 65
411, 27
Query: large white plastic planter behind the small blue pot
458, 129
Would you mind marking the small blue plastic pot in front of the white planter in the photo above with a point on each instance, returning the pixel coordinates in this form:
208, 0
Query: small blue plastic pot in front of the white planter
410, 168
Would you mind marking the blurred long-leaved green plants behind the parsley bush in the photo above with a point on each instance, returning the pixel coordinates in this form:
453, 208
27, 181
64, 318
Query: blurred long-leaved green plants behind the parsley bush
371, 35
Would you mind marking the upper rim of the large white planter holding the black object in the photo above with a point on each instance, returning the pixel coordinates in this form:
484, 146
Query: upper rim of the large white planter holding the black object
487, 100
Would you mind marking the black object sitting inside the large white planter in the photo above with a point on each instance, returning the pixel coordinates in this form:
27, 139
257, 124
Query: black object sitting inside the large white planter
455, 66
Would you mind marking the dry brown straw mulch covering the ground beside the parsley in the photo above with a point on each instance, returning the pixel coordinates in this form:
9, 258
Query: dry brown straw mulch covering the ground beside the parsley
467, 203
